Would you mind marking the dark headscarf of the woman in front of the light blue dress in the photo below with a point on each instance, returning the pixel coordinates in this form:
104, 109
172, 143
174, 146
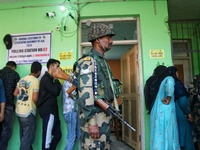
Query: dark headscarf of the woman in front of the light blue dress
180, 89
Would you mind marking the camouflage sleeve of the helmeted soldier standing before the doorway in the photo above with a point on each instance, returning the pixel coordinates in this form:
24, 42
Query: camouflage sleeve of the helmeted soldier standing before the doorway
86, 95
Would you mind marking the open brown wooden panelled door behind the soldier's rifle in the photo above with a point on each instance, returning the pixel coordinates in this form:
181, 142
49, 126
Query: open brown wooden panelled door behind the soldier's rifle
131, 97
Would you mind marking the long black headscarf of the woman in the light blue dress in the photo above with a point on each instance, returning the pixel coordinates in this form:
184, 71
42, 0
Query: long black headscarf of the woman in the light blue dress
153, 84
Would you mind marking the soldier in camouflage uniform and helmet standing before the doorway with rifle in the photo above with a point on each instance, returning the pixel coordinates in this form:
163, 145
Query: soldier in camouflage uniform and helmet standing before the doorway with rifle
95, 82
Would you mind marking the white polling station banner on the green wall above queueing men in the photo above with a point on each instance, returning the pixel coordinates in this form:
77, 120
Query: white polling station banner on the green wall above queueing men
30, 47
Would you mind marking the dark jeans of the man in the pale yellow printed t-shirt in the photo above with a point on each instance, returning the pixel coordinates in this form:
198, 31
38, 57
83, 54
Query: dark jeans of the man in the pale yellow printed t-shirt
27, 131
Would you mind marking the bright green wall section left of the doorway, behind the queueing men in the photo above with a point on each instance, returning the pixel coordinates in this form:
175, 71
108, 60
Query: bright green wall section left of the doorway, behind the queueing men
29, 20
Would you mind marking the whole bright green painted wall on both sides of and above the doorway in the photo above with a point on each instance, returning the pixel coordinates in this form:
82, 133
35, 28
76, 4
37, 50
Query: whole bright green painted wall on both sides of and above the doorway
154, 35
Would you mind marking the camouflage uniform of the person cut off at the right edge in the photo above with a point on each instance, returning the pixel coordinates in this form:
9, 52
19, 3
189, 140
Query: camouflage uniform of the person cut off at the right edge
194, 90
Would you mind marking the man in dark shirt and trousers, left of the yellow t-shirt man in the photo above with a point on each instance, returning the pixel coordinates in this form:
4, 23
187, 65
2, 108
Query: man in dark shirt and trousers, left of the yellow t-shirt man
10, 79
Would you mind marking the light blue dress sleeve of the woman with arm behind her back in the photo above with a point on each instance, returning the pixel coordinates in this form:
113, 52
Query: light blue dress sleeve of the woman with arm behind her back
170, 87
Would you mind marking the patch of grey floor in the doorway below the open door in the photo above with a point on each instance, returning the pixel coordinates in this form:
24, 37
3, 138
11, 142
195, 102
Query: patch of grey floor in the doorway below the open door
118, 144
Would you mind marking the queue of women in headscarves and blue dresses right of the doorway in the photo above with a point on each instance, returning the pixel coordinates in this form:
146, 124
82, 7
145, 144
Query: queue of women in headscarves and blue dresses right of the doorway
171, 117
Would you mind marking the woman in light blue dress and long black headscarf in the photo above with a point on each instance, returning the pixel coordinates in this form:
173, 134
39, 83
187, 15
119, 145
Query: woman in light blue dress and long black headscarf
159, 98
